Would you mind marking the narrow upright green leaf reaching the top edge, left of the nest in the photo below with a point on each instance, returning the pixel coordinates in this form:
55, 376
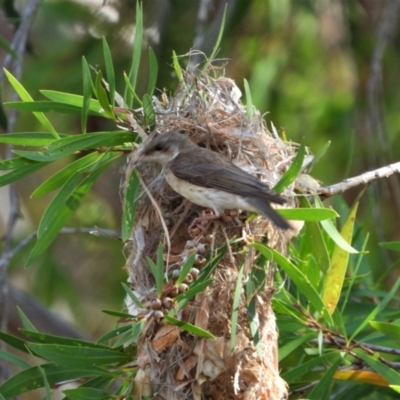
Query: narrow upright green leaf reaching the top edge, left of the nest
137, 51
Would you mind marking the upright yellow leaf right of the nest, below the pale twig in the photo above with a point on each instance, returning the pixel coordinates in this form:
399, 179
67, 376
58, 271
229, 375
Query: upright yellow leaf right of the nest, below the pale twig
333, 281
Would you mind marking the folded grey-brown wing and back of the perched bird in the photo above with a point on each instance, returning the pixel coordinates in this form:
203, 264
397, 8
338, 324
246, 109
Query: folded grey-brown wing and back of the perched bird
208, 169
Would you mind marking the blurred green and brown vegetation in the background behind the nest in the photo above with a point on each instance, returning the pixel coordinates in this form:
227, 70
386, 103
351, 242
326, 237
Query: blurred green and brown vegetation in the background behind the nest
323, 71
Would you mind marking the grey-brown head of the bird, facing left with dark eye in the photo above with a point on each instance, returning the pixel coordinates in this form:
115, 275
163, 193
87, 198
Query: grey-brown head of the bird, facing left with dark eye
161, 148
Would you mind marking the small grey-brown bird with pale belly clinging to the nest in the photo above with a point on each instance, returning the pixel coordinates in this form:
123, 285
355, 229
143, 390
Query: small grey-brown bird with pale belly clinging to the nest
208, 178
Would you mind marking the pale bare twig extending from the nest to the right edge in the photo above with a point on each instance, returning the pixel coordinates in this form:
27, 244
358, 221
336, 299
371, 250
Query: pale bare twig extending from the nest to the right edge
362, 179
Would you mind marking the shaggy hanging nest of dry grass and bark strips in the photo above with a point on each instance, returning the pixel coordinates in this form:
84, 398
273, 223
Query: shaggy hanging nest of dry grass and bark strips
173, 363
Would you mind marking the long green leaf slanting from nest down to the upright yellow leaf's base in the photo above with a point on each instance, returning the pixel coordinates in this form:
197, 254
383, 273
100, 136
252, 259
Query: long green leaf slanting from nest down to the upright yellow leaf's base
299, 279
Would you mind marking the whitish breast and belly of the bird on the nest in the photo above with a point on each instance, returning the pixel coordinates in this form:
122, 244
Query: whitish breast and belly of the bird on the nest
215, 199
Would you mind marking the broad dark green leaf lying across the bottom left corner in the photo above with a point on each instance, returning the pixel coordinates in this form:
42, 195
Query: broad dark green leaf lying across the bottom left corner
31, 378
